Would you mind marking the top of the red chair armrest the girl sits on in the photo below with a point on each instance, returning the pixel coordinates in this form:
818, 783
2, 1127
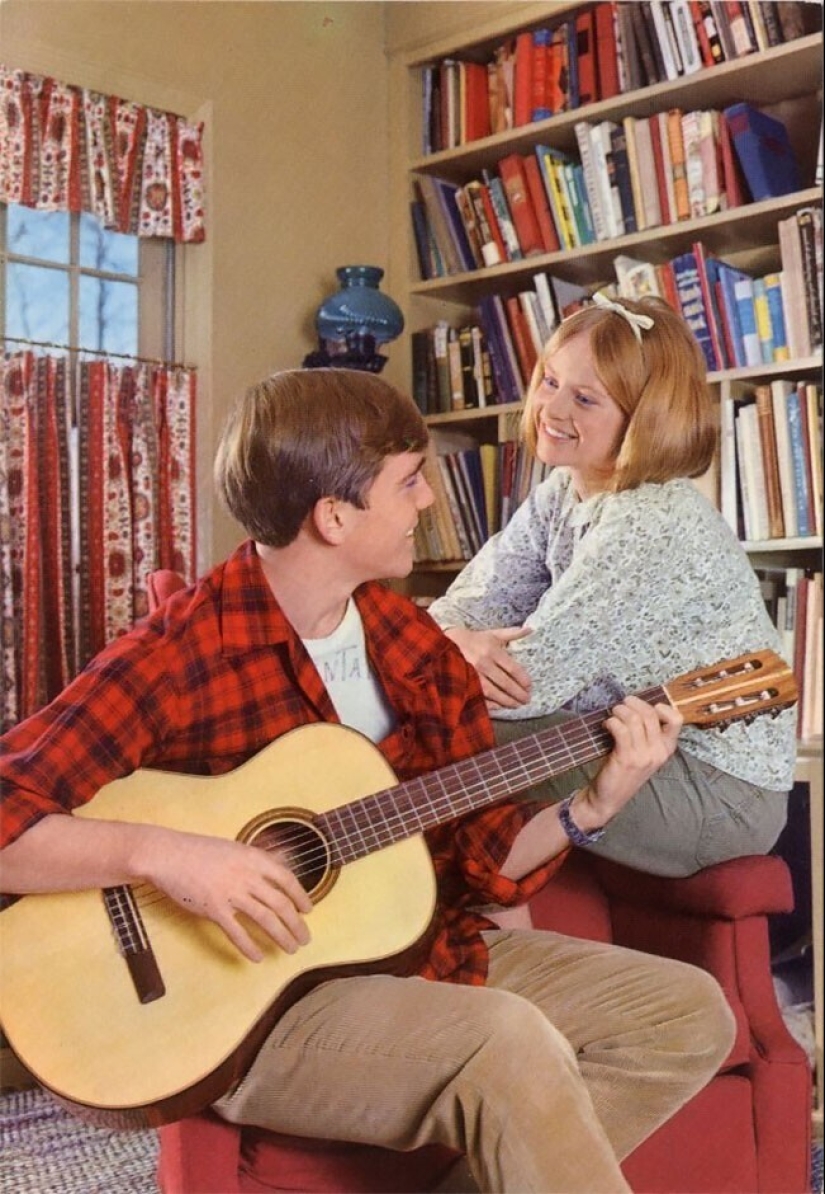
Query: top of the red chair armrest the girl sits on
759, 885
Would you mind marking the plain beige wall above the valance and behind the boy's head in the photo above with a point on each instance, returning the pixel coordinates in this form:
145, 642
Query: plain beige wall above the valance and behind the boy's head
295, 101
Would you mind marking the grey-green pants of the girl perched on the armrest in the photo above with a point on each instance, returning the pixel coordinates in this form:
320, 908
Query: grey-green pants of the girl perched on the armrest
687, 817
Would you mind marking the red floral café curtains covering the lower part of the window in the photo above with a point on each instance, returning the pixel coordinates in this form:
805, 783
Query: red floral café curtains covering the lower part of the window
87, 512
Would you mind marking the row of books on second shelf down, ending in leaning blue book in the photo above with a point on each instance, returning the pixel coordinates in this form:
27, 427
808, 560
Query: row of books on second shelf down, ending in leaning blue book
635, 174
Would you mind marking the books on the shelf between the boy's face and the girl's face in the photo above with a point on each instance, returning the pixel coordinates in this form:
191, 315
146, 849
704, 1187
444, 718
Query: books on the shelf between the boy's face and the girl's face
477, 491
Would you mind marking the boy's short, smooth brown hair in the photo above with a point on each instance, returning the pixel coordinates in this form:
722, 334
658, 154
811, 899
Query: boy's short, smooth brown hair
309, 434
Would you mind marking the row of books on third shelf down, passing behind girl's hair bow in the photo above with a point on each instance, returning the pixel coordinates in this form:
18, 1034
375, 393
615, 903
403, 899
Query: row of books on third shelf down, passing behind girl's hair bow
738, 321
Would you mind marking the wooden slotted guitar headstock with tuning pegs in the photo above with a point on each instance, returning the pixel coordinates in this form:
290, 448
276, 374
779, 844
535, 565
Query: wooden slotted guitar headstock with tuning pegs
734, 690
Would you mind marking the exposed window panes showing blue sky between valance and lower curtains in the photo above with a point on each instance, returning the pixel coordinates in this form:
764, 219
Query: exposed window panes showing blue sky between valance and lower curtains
69, 281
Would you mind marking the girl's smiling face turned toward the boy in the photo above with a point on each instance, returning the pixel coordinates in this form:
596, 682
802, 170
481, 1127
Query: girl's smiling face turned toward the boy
578, 424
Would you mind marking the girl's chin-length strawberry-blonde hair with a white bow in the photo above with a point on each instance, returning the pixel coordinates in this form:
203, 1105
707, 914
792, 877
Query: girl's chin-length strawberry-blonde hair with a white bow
661, 386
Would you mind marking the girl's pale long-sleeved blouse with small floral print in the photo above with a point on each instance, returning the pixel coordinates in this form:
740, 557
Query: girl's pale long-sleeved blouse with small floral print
625, 592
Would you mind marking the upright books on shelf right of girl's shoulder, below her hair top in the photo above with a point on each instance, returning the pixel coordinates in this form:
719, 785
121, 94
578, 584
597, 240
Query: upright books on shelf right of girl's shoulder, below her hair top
772, 461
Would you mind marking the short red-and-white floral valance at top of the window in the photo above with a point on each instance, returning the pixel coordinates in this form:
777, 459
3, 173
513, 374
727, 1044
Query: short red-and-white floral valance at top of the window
66, 149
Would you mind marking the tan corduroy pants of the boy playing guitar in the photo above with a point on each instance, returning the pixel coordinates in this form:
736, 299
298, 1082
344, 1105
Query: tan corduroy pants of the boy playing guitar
571, 1056
